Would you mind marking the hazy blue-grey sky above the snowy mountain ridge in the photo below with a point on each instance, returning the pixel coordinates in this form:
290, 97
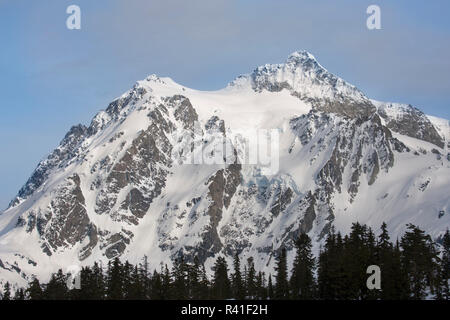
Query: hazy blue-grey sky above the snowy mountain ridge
52, 78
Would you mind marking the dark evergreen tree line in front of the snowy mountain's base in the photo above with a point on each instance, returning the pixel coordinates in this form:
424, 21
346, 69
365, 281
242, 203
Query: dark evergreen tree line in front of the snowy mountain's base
413, 267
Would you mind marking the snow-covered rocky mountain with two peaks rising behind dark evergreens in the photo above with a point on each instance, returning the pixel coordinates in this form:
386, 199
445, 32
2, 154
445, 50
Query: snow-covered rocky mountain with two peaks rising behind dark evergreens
143, 177
